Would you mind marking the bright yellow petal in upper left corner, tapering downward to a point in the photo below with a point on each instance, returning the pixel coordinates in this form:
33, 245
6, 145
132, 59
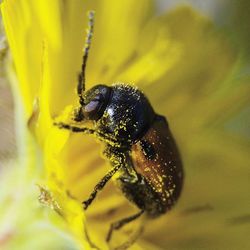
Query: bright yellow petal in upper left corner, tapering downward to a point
22, 30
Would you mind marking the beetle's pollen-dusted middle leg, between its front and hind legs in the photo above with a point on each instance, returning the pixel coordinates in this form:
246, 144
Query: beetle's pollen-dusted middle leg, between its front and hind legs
104, 180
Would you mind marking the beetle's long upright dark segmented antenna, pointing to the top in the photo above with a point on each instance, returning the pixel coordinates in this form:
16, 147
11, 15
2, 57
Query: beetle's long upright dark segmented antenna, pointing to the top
81, 76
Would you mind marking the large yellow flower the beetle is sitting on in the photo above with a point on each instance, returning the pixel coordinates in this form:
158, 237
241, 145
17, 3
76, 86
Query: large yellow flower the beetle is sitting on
189, 72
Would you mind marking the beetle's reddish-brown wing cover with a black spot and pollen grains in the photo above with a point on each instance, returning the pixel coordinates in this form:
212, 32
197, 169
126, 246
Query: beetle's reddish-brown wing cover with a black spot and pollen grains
164, 171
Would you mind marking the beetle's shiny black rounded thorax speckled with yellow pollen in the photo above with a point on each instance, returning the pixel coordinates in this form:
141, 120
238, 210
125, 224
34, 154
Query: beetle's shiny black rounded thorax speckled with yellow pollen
128, 114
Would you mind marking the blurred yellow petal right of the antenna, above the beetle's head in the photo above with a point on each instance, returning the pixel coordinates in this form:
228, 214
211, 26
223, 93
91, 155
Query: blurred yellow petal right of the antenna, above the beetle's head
114, 41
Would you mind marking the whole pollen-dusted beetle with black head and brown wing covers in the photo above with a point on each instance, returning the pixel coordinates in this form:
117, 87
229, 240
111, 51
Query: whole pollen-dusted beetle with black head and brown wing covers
139, 144
